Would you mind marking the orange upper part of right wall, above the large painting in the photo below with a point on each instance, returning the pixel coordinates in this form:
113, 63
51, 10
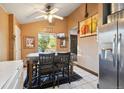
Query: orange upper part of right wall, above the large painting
79, 13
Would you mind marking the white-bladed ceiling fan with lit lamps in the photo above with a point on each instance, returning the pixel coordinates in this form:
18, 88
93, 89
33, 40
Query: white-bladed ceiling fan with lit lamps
49, 14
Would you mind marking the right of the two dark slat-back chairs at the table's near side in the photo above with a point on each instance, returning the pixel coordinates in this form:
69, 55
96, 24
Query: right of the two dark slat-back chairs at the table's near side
63, 65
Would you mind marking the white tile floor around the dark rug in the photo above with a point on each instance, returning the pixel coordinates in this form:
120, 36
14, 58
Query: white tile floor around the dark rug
89, 81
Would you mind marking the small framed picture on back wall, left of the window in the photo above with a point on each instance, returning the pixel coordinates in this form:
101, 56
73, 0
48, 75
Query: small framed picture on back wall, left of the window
29, 42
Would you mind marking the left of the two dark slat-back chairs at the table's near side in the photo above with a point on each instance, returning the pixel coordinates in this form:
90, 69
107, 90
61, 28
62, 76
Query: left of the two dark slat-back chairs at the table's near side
46, 69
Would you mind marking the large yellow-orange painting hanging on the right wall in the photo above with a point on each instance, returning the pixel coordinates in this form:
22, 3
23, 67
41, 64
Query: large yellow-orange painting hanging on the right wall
88, 26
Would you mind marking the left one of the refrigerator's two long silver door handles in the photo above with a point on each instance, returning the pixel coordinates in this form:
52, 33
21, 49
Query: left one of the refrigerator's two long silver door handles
113, 50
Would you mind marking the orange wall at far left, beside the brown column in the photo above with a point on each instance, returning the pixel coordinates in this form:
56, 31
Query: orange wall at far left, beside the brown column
4, 34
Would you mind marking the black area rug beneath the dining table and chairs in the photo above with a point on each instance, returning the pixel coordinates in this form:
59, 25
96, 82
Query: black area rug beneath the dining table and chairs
63, 80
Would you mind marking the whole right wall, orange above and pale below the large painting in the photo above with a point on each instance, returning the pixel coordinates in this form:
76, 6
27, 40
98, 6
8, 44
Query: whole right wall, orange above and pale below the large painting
87, 47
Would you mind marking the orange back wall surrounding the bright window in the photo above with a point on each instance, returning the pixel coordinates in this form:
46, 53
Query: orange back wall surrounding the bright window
32, 29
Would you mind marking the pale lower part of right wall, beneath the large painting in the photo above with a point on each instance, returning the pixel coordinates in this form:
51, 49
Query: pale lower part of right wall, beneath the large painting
88, 53
